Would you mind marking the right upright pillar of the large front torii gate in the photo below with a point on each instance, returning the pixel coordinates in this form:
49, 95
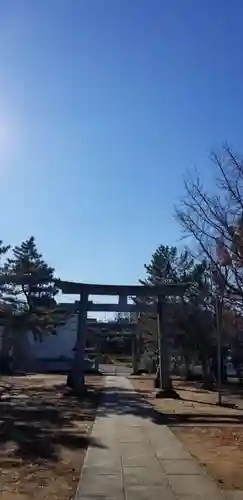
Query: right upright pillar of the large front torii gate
165, 383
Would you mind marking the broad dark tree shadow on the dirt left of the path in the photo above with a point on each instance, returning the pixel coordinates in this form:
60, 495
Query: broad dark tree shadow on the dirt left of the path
35, 422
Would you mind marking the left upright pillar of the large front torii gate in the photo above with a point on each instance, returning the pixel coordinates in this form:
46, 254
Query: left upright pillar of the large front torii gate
78, 369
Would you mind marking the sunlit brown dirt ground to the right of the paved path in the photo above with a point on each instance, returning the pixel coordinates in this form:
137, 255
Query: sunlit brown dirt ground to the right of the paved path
212, 434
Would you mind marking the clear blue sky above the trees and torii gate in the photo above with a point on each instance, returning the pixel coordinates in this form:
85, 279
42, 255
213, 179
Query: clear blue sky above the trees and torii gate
104, 104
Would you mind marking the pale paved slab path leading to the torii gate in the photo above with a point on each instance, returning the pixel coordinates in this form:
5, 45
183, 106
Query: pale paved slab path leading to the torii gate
135, 458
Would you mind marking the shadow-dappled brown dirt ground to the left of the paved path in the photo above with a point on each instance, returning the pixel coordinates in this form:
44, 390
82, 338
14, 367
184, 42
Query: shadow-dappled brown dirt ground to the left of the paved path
44, 434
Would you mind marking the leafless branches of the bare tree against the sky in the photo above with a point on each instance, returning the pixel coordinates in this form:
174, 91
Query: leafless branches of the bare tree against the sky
215, 221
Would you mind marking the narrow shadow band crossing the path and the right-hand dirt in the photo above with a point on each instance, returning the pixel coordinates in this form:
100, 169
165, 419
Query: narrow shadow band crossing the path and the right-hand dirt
124, 402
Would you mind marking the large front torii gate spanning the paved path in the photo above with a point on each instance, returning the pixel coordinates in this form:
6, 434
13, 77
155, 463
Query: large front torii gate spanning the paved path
123, 292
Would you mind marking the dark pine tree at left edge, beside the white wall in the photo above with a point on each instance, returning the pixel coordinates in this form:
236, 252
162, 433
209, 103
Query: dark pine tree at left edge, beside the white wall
33, 304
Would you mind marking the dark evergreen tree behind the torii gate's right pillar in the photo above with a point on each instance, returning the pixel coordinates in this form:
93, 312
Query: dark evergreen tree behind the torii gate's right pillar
189, 319
